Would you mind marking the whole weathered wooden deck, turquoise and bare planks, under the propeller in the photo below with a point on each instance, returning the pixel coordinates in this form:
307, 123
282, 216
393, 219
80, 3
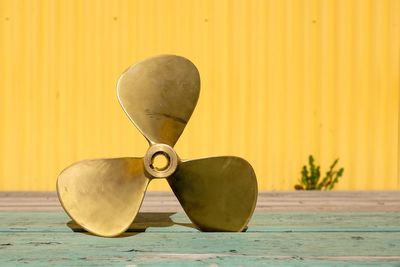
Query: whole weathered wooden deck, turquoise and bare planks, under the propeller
315, 237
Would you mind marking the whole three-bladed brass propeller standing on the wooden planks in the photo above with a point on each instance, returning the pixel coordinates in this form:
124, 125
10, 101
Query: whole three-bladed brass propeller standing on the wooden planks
159, 95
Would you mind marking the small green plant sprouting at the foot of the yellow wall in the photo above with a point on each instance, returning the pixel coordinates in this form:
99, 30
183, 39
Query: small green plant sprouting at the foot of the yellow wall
310, 178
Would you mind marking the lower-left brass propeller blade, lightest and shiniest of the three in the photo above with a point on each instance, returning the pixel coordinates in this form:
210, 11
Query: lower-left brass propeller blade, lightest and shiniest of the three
103, 195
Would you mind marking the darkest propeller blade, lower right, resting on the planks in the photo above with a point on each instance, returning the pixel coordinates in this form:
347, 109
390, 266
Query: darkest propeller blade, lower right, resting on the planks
218, 194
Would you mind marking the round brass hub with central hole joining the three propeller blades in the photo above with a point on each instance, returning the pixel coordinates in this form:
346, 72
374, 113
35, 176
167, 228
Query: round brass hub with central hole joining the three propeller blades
160, 161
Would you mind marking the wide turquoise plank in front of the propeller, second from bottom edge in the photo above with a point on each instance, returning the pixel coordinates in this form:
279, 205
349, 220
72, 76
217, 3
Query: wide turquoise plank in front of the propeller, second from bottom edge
85, 249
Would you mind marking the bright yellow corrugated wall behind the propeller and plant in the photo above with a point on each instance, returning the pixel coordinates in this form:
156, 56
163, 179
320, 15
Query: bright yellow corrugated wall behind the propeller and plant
280, 80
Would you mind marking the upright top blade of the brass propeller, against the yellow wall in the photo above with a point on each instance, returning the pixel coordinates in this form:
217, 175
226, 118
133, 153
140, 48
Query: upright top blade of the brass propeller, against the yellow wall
159, 95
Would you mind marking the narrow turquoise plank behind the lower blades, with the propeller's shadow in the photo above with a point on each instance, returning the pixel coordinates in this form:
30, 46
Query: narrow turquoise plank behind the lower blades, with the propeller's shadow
178, 222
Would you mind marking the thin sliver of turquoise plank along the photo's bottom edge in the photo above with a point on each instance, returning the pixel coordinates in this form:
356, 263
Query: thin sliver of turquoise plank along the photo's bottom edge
208, 260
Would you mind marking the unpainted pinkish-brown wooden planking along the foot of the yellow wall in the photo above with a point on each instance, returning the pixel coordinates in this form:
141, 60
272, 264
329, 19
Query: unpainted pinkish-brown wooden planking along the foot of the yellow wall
267, 201
